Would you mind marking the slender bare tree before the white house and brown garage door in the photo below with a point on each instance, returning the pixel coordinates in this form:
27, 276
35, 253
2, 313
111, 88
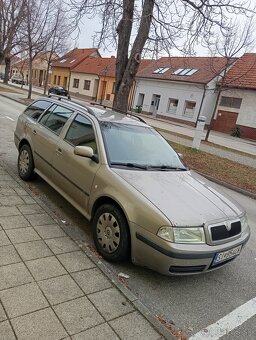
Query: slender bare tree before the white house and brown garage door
236, 39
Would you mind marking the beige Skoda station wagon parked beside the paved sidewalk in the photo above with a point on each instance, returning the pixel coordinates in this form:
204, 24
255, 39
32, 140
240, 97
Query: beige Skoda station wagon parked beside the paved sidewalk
124, 177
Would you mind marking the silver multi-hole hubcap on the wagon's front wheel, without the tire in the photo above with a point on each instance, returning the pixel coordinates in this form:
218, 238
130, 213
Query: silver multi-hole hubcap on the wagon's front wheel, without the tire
108, 232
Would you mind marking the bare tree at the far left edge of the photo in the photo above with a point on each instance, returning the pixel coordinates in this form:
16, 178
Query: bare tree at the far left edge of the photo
11, 17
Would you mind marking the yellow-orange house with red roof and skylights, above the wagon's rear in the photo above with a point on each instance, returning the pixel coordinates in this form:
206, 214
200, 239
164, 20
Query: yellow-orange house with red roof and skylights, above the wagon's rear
62, 68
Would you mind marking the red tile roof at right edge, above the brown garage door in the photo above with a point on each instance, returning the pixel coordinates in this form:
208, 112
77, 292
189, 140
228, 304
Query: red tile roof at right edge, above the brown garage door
243, 73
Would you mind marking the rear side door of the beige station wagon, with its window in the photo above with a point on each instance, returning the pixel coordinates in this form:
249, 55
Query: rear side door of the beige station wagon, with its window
46, 137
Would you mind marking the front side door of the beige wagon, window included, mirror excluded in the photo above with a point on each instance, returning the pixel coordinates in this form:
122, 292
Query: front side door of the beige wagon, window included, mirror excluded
74, 174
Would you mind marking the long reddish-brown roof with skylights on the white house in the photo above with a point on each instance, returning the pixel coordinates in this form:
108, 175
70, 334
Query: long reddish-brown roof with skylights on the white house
206, 68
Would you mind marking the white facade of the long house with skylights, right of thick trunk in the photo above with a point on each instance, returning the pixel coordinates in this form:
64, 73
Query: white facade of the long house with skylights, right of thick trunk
181, 91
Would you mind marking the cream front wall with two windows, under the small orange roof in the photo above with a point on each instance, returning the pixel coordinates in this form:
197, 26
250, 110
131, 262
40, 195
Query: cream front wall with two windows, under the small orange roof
90, 94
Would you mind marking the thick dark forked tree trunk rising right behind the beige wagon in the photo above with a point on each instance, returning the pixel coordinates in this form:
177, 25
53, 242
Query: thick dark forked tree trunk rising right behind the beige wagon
126, 68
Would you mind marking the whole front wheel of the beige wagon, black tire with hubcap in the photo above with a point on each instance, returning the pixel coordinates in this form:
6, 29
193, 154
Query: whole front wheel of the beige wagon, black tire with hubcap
111, 233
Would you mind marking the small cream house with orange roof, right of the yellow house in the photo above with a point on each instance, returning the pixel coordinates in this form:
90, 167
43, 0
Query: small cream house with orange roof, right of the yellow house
85, 77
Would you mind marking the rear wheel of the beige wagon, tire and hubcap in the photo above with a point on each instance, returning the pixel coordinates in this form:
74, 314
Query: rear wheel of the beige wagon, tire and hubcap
25, 163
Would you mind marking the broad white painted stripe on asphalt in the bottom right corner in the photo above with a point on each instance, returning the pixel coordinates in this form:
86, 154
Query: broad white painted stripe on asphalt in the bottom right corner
225, 325
